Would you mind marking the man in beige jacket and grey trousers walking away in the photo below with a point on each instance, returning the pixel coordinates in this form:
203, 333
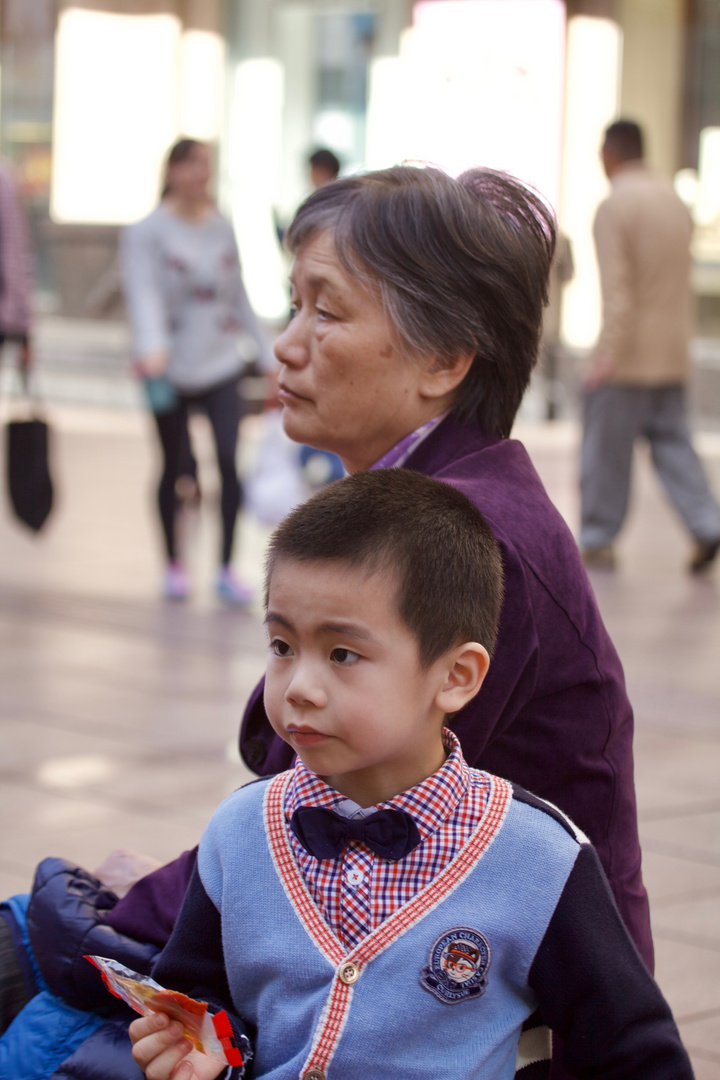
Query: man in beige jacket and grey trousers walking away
637, 380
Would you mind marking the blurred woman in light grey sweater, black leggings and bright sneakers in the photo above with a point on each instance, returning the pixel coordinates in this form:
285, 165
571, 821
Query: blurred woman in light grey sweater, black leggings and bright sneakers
188, 307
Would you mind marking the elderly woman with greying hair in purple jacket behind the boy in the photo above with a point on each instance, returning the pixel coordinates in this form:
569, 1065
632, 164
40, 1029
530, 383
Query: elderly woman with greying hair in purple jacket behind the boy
418, 308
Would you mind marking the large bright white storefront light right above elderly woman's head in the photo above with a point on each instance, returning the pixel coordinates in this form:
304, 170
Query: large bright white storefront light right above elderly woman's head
479, 83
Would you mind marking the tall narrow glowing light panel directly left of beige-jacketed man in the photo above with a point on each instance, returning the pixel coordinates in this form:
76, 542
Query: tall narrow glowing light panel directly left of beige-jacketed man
592, 102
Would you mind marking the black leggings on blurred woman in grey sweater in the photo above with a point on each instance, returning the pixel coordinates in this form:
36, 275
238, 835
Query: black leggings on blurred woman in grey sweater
223, 407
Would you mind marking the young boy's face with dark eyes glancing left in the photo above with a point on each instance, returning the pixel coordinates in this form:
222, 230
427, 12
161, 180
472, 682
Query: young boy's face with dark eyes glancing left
345, 686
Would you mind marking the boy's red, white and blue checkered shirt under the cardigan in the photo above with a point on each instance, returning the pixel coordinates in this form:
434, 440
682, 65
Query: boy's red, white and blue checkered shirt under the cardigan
358, 892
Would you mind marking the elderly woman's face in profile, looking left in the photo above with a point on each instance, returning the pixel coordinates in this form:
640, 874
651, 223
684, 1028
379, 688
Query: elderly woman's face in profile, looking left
346, 385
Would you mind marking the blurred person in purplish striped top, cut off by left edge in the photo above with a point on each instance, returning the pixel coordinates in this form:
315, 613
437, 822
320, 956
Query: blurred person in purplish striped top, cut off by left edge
16, 269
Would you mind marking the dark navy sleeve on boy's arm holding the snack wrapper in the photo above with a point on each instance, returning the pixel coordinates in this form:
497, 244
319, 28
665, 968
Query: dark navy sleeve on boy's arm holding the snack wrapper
194, 963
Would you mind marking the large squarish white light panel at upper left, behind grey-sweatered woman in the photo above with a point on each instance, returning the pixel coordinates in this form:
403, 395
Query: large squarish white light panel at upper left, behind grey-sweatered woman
116, 114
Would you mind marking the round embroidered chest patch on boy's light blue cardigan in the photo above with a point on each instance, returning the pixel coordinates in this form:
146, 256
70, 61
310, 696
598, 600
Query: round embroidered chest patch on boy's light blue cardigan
457, 966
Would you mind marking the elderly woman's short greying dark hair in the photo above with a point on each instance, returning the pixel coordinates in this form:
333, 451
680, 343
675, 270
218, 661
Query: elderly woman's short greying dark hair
461, 266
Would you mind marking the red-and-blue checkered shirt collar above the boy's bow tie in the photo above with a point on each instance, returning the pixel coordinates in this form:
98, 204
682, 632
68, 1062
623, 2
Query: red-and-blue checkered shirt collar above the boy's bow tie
431, 803
